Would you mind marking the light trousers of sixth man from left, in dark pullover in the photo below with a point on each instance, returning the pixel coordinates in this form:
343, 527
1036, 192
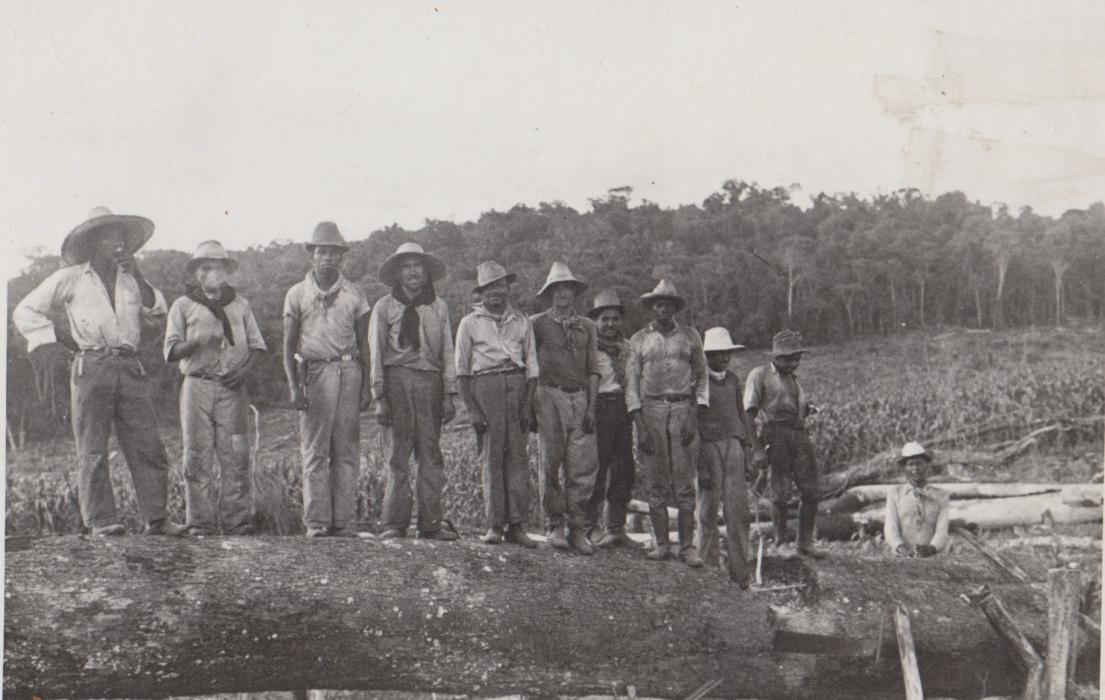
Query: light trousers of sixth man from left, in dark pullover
569, 456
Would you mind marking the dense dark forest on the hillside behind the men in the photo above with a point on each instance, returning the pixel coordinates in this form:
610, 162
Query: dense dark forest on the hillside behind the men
748, 258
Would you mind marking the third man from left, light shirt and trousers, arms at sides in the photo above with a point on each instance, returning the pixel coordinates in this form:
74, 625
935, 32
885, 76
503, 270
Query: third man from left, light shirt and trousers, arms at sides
327, 361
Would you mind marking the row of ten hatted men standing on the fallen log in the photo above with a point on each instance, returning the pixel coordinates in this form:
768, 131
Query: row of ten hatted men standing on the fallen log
573, 379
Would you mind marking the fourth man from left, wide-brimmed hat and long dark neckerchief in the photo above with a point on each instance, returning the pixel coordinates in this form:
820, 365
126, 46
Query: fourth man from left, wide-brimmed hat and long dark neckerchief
414, 383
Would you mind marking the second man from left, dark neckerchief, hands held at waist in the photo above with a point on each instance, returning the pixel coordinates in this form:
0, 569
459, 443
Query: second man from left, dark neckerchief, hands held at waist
215, 337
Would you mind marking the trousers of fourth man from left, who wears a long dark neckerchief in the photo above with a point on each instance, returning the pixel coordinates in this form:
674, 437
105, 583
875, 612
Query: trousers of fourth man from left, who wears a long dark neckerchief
415, 399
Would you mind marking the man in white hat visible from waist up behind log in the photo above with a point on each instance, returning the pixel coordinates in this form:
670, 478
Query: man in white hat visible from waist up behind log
917, 521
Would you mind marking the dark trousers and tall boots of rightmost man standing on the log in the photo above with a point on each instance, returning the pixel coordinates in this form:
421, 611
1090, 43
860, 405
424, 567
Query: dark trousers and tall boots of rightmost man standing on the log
792, 465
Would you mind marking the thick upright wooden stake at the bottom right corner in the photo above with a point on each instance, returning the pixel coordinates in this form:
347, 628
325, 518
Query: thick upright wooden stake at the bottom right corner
1065, 589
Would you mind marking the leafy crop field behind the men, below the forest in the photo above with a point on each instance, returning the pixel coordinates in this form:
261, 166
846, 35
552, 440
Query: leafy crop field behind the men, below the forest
876, 395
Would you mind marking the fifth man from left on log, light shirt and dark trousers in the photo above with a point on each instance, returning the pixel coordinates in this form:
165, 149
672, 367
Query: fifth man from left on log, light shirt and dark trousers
497, 369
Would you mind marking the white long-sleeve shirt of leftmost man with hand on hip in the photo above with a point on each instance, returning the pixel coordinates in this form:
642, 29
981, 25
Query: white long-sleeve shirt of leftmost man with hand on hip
94, 323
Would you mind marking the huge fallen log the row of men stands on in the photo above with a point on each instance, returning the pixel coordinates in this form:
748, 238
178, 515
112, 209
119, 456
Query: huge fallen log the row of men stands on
153, 618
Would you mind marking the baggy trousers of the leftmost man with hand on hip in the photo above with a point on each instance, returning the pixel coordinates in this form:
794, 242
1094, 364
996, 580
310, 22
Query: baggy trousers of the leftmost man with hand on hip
107, 391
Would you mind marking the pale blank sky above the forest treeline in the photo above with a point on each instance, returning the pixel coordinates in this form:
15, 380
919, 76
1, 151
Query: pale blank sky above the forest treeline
249, 122
